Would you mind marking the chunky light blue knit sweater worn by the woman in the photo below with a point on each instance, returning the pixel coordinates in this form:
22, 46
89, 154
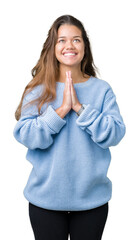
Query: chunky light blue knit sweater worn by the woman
70, 156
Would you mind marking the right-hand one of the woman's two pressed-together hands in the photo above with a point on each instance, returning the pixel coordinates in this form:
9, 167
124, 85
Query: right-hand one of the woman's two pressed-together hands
75, 104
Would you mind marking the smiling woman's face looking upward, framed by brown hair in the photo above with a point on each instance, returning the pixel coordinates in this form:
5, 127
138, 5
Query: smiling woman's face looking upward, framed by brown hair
69, 49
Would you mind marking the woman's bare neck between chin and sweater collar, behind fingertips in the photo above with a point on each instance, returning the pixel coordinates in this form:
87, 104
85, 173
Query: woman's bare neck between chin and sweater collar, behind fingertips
76, 74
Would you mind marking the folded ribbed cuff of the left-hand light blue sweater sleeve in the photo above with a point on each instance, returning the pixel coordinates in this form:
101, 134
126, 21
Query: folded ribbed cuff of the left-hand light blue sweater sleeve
53, 120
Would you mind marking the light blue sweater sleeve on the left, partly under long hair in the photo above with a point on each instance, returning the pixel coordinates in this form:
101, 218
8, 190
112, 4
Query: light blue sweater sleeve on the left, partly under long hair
34, 130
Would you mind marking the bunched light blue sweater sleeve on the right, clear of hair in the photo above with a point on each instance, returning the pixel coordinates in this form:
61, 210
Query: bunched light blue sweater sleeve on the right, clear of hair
106, 127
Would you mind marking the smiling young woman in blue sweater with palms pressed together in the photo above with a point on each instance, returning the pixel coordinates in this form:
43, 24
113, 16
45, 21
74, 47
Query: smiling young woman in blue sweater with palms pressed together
68, 118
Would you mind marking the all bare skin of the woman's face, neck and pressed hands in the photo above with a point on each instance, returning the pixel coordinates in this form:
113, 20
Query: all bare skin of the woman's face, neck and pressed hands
69, 40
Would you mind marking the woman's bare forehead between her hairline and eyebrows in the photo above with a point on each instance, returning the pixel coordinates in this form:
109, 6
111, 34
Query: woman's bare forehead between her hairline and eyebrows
67, 30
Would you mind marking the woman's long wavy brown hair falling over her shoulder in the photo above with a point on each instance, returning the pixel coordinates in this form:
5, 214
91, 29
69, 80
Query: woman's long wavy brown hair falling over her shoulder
46, 70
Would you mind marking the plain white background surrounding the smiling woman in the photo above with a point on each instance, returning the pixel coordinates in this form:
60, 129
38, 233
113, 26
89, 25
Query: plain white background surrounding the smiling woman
112, 27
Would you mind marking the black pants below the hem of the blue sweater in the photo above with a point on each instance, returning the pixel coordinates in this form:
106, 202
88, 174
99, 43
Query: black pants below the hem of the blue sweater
57, 225
